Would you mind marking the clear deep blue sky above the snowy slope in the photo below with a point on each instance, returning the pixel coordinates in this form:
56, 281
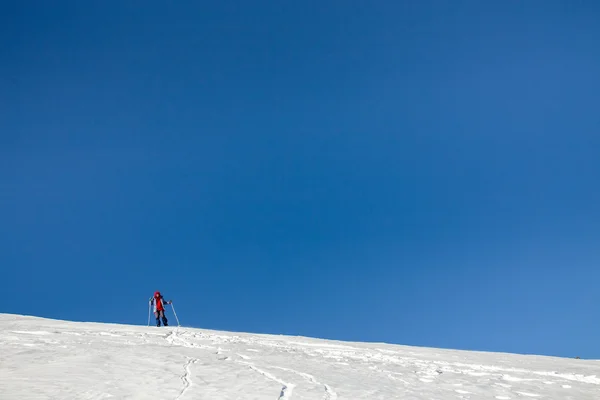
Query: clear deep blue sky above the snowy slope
423, 173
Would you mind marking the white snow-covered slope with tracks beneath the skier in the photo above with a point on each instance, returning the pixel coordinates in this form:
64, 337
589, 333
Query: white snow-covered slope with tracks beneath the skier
48, 359
